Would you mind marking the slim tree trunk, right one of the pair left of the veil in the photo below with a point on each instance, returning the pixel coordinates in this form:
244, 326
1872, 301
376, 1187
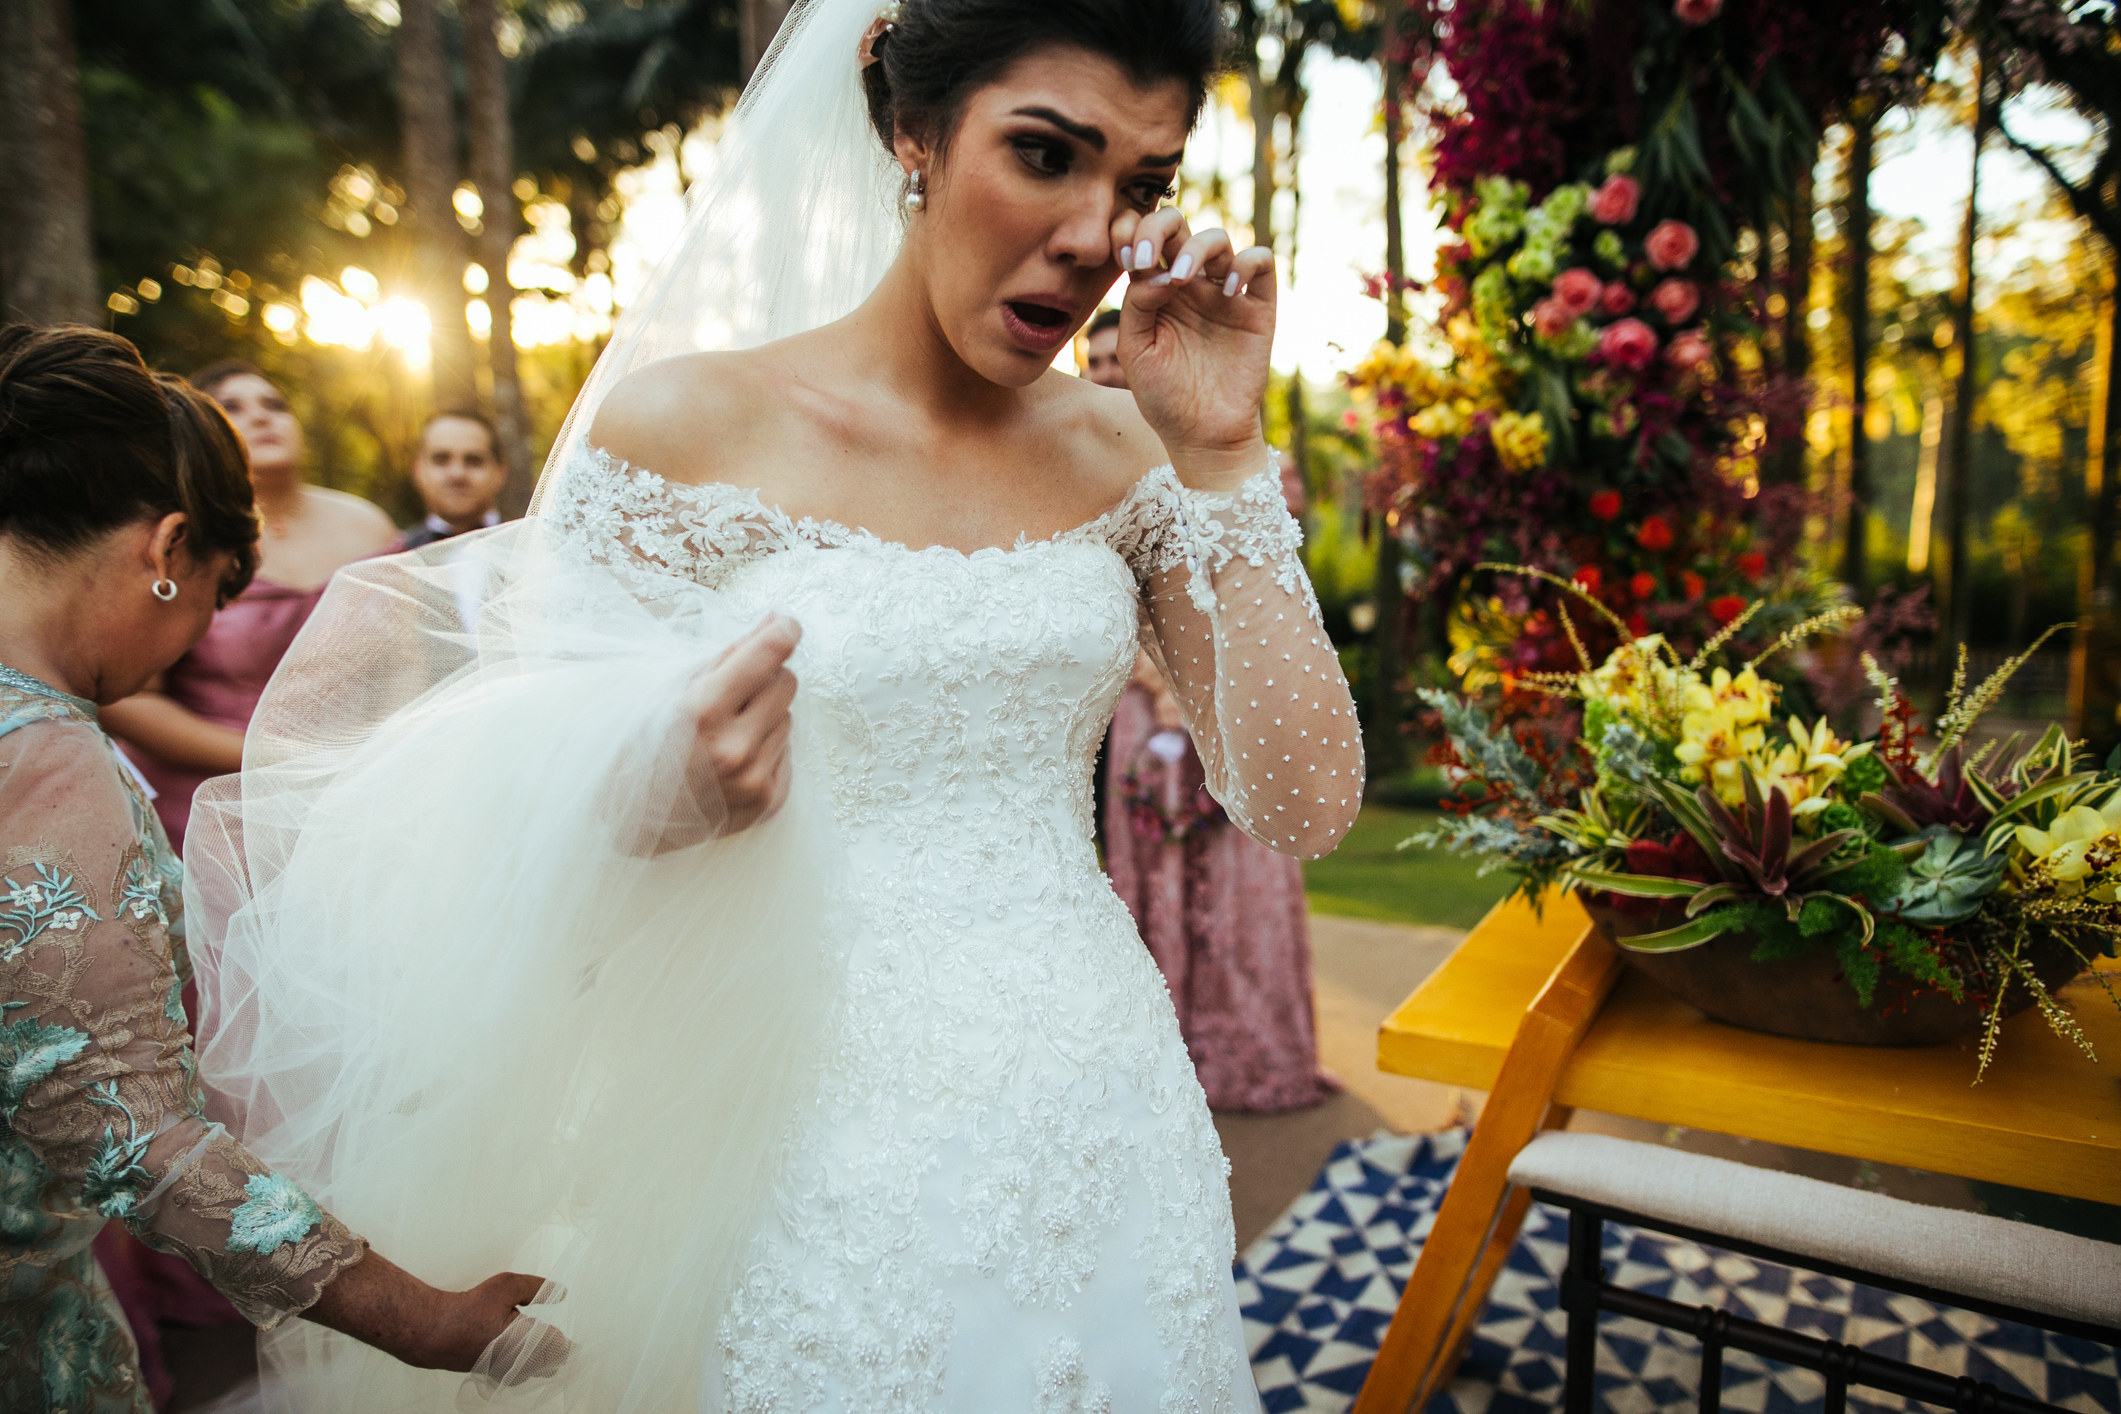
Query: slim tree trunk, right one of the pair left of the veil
493, 162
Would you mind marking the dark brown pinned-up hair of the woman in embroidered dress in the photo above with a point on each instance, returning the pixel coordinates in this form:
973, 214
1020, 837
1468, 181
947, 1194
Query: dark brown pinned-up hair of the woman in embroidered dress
92, 440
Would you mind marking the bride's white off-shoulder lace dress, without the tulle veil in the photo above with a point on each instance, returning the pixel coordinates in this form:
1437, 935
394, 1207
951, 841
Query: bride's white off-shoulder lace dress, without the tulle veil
1013, 1197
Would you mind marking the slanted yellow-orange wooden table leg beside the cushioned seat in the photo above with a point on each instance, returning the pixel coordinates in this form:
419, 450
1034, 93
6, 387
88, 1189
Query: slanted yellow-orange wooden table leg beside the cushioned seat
1482, 1216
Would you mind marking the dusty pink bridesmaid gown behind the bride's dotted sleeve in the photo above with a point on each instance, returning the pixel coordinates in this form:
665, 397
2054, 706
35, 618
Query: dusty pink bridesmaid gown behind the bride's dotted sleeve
1223, 917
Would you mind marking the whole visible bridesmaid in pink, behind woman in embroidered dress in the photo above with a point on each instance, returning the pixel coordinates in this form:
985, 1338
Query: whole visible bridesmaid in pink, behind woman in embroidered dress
192, 726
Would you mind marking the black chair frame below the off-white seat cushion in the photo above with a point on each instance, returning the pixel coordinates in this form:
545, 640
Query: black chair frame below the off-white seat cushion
1585, 1294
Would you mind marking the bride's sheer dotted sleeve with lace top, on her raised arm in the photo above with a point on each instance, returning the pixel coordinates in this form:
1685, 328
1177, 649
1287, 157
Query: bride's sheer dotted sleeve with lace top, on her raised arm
1231, 622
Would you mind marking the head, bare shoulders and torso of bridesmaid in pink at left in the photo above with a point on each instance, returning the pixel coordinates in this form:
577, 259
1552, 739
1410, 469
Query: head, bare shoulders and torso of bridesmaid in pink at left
190, 724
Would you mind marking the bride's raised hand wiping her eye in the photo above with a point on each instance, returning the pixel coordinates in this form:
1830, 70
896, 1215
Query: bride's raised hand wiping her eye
1195, 332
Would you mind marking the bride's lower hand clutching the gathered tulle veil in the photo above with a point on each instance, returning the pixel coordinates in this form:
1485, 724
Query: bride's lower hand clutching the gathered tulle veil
739, 711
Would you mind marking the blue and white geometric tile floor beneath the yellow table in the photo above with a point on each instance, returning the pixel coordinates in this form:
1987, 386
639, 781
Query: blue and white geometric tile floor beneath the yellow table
1320, 1286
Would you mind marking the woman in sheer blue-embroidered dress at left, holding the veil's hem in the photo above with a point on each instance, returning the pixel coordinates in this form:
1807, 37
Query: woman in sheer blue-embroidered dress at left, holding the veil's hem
124, 525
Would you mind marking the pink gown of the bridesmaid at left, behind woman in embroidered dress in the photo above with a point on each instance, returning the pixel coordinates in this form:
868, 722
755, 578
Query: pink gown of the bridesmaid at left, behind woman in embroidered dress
222, 679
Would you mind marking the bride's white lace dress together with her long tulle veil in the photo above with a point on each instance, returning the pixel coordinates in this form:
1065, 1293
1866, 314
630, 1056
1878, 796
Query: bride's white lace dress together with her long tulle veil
879, 1106
